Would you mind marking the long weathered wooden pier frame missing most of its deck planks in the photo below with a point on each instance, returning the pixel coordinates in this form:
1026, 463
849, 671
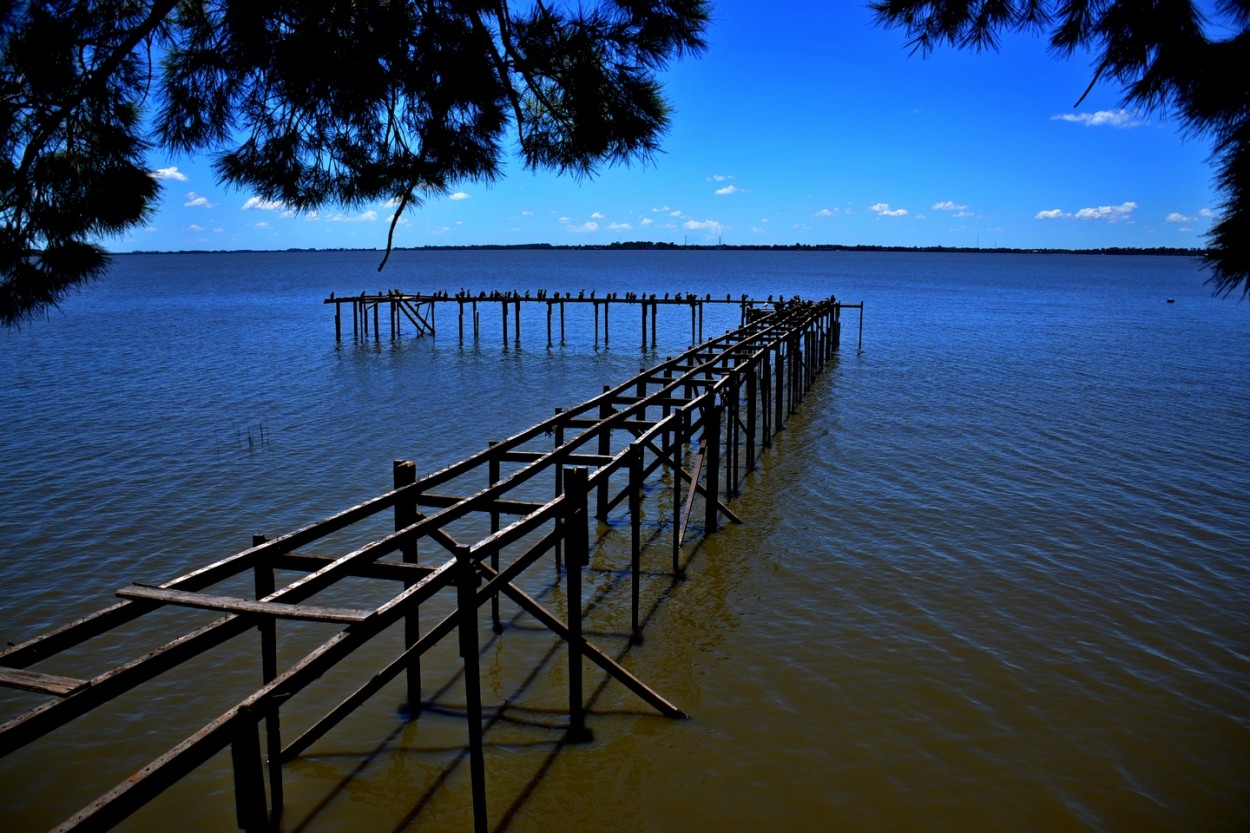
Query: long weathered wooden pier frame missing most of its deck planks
692, 426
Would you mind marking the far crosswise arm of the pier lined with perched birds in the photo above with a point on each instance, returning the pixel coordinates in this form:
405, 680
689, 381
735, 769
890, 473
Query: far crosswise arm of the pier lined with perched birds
373, 313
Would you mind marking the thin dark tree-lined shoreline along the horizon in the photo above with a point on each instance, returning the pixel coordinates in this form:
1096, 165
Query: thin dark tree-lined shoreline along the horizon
673, 247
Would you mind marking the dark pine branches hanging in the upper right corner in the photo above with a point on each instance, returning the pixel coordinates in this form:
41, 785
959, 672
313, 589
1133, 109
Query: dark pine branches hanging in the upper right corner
1162, 53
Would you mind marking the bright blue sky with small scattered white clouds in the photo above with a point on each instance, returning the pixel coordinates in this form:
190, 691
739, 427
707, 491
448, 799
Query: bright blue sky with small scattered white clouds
802, 123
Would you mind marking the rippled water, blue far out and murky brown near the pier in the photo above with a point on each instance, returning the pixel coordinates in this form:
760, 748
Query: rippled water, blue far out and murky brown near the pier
994, 576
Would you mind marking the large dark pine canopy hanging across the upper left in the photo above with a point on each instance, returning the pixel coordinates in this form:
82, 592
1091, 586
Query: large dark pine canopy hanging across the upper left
306, 102
